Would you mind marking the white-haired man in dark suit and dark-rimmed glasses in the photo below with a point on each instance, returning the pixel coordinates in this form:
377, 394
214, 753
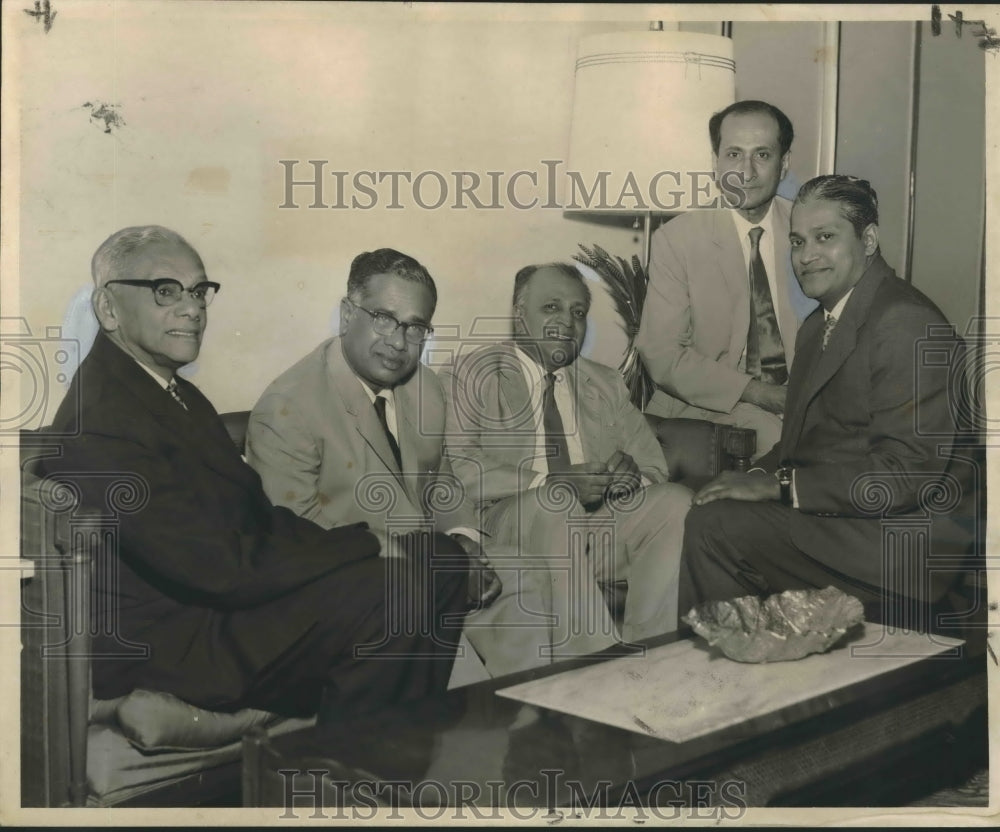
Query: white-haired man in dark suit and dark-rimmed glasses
238, 602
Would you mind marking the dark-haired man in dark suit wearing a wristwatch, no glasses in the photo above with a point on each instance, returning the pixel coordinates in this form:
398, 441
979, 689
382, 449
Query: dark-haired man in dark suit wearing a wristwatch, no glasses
864, 435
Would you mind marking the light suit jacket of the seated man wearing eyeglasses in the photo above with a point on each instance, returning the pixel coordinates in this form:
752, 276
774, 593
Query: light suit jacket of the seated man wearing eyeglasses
320, 449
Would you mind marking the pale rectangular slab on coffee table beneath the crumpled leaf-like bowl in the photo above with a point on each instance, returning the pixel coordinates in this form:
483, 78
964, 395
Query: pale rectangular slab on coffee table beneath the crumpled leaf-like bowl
685, 690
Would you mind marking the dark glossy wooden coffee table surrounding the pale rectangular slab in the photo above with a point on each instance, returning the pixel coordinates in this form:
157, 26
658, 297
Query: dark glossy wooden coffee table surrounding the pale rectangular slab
473, 749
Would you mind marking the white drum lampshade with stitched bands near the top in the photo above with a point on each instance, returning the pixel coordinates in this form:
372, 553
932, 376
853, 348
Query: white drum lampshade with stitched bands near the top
641, 107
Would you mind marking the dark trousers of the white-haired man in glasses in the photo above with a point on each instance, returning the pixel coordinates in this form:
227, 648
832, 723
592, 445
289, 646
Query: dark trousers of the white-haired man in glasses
366, 635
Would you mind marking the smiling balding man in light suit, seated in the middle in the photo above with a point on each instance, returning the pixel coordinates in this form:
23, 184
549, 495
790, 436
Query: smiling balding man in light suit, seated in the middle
563, 464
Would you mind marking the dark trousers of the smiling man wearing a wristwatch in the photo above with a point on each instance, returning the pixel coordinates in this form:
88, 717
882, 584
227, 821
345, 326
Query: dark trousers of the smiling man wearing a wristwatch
734, 548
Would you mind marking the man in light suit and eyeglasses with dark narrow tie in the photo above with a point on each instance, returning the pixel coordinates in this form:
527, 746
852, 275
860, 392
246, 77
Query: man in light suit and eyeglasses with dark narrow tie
355, 432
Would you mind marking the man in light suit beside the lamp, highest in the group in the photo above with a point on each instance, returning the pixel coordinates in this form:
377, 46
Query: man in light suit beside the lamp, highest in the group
723, 306
